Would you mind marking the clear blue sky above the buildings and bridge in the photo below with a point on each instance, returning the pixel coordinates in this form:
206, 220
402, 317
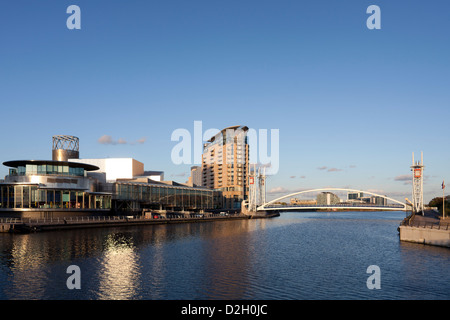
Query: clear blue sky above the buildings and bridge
351, 104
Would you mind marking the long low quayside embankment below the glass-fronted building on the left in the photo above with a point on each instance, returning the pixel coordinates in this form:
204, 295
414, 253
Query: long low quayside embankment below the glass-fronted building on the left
35, 225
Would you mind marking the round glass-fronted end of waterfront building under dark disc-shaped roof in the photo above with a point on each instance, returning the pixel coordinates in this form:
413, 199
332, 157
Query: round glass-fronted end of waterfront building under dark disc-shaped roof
37, 188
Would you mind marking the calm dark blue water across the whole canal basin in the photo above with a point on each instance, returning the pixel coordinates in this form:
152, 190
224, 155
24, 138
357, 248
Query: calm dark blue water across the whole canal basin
295, 256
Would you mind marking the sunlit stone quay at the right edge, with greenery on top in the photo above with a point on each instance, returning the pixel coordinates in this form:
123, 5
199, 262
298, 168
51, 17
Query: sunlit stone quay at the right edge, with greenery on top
426, 229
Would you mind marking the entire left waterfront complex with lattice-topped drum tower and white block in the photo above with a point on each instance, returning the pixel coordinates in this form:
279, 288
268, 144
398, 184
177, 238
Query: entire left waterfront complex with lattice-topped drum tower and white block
66, 186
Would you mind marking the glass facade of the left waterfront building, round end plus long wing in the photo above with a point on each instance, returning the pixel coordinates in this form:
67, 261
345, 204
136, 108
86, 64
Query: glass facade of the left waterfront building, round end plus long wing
58, 186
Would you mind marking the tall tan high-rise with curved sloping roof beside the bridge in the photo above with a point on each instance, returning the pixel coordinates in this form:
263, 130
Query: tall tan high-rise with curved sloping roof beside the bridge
225, 165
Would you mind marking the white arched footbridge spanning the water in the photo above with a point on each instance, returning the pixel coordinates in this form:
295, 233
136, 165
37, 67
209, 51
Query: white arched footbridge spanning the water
277, 205
